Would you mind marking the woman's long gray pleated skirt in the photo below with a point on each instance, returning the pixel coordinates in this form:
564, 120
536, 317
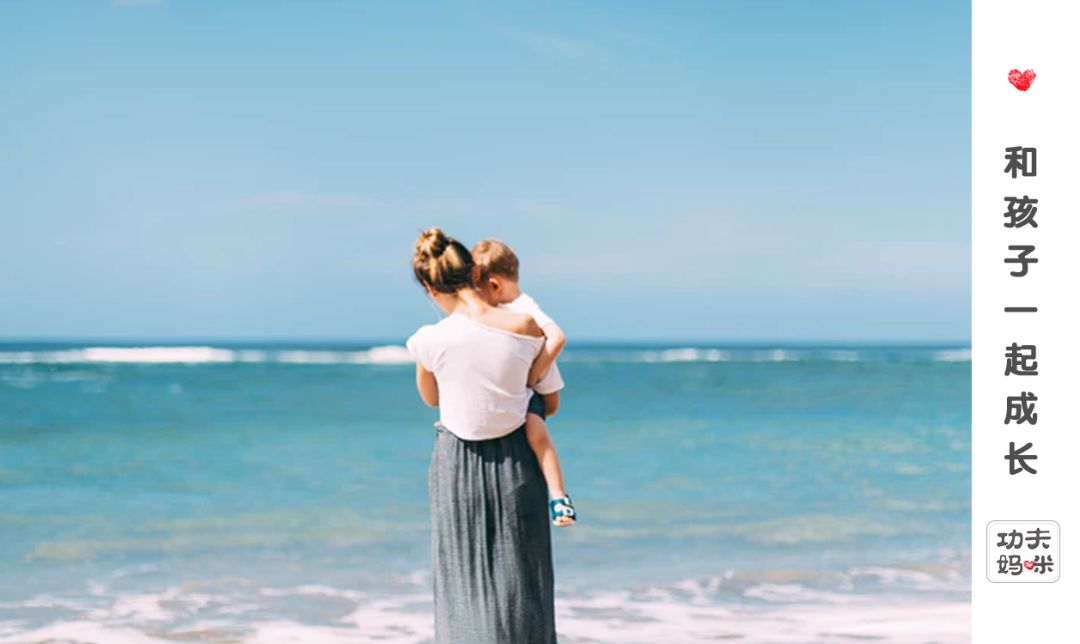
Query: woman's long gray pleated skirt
491, 543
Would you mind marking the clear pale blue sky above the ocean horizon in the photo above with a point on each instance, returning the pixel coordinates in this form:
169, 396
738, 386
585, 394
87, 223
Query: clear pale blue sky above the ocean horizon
721, 171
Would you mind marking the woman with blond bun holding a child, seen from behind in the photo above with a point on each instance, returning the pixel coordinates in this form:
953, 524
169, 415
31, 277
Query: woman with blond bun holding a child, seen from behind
494, 581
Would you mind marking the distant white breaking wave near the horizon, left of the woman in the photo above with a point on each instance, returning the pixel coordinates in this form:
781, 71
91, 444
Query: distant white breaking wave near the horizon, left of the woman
384, 355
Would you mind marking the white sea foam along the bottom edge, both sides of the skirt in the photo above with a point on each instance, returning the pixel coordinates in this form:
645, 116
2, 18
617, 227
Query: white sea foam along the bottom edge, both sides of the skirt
613, 616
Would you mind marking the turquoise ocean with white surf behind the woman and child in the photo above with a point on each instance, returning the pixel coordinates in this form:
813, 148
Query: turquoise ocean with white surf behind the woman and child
278, 493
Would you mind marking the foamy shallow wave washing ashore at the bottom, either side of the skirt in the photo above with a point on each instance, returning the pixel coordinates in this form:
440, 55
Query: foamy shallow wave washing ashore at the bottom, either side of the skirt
692, 611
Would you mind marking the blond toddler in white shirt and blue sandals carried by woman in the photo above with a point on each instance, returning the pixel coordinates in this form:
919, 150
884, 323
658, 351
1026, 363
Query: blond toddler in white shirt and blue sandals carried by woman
498, 285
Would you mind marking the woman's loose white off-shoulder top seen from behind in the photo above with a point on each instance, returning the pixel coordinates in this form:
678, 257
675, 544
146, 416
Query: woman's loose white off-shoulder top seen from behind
482, 373
